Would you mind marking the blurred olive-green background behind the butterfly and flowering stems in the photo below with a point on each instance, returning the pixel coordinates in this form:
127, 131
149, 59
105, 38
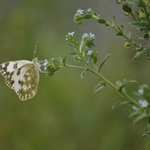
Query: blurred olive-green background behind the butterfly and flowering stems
65, 114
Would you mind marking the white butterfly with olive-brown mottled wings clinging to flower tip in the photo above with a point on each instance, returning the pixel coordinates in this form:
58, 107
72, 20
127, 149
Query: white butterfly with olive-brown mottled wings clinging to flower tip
22, 76
